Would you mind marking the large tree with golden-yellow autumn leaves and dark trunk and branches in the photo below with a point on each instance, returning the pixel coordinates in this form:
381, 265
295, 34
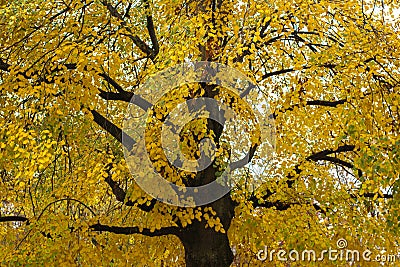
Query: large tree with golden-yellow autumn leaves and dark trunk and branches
328, 69
